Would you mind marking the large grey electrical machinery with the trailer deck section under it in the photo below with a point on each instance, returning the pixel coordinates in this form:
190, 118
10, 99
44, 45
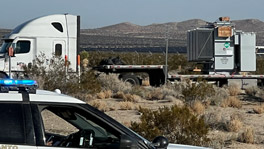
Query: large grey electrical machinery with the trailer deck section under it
227, 54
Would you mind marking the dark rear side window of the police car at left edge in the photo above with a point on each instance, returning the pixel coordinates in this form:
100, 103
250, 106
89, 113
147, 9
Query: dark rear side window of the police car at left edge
12, 123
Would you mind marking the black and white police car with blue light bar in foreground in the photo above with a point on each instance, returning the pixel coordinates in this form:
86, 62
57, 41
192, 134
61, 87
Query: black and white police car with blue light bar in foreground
26, 114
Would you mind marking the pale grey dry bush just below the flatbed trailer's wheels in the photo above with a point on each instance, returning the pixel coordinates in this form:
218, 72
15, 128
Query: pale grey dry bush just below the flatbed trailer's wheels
112, 82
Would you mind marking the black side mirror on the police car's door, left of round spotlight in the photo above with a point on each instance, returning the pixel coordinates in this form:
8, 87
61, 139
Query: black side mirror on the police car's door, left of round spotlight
126, 142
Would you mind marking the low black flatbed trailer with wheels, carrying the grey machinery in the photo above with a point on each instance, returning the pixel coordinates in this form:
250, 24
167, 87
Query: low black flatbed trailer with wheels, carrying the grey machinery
156, 73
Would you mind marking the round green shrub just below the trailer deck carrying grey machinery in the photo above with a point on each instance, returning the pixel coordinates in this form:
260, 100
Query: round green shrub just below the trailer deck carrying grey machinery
197, 91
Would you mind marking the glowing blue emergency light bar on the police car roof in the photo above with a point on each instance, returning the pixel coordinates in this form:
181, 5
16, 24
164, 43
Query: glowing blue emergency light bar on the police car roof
7, 82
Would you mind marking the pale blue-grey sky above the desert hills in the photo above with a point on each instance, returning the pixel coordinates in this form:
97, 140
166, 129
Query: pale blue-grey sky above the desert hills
99, 13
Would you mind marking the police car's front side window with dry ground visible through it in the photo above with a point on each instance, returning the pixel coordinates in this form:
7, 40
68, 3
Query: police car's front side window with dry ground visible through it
84, 129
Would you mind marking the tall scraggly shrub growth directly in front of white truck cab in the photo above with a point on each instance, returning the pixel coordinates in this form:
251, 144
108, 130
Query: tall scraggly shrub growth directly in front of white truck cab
54, 76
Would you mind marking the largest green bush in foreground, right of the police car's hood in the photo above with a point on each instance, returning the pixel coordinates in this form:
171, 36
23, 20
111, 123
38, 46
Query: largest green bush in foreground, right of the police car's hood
178, 124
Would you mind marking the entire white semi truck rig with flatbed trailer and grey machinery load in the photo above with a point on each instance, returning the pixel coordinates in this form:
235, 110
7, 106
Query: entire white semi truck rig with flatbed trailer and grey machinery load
224, 51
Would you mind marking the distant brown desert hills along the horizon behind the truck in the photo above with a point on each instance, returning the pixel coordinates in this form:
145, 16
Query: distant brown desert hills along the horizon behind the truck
128, 36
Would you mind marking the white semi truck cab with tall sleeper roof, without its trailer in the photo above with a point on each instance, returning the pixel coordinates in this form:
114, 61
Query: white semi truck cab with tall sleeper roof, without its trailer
53, 34
